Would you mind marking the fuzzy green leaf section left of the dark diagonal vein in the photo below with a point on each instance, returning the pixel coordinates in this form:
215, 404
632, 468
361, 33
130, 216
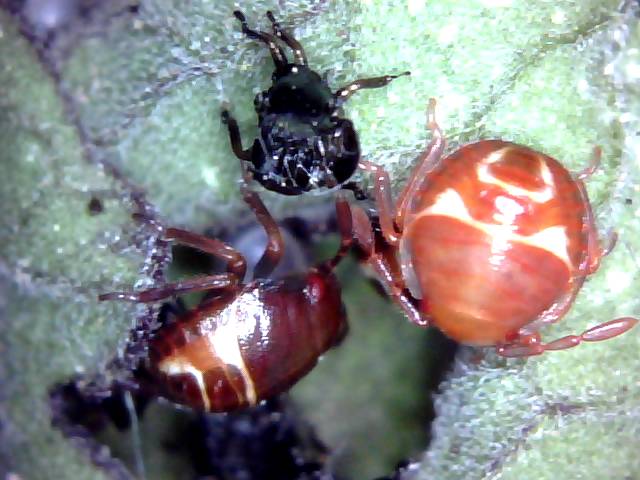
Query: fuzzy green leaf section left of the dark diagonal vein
54, 255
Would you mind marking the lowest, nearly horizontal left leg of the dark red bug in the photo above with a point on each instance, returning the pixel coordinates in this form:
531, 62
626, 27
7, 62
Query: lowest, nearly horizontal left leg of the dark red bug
211, 282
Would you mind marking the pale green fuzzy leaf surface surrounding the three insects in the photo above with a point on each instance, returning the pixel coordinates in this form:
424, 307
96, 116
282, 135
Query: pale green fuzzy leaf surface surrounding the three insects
561, 76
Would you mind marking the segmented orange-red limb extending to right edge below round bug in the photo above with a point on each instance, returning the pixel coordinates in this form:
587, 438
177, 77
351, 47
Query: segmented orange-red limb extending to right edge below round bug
599, 333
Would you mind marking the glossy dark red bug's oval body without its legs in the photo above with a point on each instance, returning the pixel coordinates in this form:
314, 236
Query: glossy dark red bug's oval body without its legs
233, 352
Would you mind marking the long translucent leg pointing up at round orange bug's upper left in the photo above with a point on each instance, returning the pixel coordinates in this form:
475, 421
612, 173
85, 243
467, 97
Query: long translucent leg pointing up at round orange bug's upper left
428, 160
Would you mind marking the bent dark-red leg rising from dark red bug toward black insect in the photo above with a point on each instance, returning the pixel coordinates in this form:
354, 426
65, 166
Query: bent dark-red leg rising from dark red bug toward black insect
275, 245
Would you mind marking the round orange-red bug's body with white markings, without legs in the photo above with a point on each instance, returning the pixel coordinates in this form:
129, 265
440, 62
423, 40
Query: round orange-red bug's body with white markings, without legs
495, 238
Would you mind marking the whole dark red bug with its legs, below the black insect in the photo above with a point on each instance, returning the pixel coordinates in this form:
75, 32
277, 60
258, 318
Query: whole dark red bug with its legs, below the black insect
244, 342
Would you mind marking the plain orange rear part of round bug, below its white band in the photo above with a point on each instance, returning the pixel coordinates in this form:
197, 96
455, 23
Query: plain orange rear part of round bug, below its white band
479, 290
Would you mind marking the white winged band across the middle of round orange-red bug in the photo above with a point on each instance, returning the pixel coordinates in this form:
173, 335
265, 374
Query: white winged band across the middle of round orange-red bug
552, 239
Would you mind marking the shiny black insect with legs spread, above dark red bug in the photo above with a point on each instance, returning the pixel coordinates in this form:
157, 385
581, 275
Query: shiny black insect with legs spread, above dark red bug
304, 144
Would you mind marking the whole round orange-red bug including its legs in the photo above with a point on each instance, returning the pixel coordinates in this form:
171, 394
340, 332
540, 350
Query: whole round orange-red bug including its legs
488, 244
